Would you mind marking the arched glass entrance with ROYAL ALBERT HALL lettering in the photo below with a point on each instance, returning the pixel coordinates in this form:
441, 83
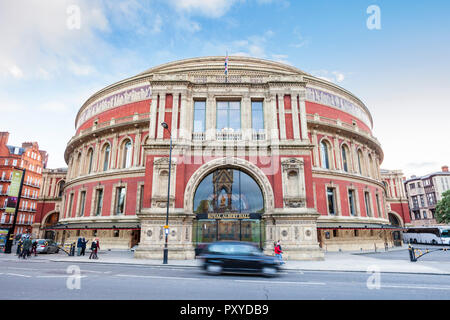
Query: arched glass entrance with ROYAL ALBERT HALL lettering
228, 205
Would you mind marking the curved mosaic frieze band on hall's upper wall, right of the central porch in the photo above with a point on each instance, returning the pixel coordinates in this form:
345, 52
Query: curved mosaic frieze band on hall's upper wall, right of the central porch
322, 97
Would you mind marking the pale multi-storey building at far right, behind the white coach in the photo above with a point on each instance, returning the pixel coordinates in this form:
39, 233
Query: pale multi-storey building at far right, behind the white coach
423, 194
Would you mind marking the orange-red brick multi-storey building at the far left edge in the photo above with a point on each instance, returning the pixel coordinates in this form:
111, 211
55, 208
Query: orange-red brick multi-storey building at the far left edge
33, 160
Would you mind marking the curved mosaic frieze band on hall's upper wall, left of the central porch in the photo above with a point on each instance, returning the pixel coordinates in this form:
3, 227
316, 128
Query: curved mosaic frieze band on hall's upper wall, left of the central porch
114, 100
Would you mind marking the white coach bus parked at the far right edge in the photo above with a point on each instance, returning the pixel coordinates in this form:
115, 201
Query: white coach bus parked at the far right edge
431, 235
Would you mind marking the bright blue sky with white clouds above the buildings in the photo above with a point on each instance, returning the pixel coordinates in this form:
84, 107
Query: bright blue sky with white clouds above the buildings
54, 54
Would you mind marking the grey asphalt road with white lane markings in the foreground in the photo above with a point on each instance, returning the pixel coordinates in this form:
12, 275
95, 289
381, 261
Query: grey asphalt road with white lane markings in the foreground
37, 279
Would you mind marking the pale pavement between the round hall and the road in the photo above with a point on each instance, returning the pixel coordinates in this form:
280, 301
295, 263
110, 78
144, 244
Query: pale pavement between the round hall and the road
336, 261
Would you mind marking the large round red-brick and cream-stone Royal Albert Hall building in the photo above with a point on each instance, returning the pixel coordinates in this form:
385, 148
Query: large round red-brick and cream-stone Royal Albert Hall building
266, 153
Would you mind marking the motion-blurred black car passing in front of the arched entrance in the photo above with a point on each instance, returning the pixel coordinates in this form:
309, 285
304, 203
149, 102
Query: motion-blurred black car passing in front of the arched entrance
234, 256
